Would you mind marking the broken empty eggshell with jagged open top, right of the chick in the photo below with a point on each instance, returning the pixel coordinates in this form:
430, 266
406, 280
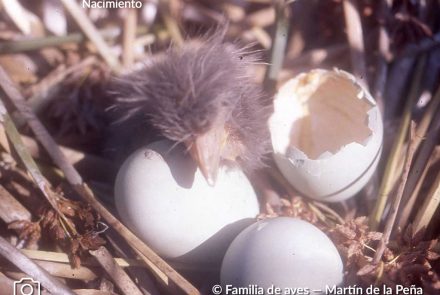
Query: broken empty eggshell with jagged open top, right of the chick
326, 134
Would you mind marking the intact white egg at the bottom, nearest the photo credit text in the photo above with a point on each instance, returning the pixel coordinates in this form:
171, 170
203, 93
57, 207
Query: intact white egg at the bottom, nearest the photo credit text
283, 252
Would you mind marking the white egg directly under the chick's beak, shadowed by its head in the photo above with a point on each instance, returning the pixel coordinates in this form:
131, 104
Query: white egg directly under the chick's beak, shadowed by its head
163, 197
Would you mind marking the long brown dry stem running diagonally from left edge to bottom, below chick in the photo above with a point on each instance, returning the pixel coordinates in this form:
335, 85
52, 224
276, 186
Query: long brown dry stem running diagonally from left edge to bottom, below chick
84, 191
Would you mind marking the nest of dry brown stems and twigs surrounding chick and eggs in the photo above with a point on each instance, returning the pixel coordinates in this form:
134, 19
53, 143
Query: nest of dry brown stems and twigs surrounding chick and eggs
57, 221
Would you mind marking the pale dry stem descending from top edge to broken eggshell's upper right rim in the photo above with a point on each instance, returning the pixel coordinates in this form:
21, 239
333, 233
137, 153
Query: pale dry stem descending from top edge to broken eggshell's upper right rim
356, 41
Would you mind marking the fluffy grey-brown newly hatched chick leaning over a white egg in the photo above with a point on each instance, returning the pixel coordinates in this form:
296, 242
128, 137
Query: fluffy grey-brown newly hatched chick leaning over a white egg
202, 95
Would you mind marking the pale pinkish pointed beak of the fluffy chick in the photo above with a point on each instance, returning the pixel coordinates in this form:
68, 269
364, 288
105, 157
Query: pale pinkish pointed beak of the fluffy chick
206, 151
